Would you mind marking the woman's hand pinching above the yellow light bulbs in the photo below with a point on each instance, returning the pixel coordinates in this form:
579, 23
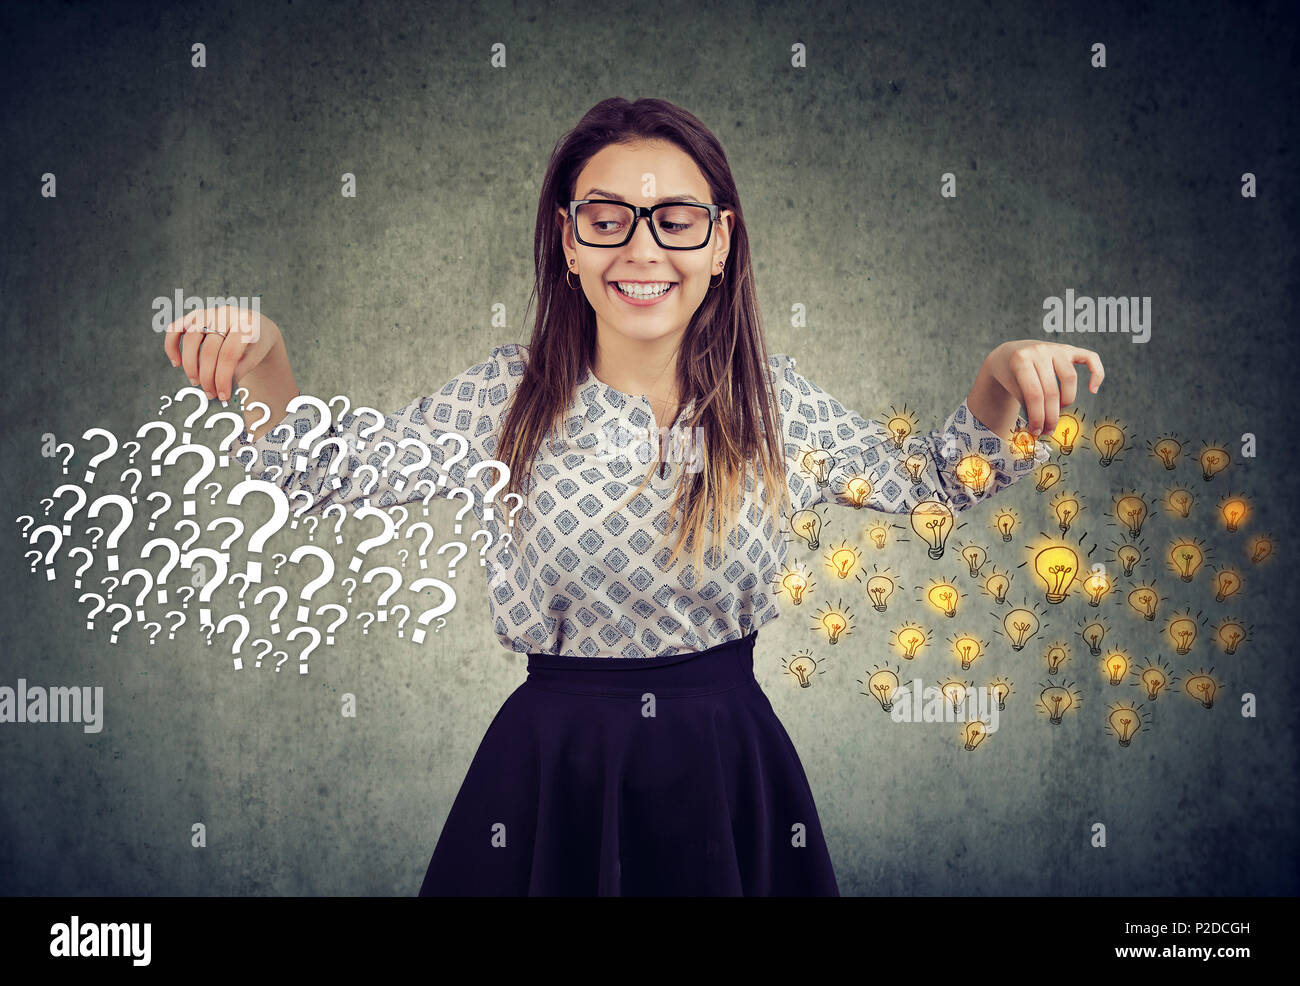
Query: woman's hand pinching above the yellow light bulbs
1042, 377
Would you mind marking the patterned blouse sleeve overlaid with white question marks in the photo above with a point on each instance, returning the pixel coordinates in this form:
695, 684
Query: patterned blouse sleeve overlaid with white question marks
470, 405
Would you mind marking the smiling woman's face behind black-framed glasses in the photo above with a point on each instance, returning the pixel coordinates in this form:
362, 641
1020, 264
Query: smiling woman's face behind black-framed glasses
644, 174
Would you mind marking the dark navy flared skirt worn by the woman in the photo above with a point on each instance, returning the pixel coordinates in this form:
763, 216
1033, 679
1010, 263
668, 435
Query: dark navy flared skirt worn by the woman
623, 777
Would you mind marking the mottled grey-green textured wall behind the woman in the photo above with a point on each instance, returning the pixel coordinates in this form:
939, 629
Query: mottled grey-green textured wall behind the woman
1117, 181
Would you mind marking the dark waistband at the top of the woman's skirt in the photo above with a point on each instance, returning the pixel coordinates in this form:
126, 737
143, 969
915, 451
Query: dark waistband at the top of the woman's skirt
717, 669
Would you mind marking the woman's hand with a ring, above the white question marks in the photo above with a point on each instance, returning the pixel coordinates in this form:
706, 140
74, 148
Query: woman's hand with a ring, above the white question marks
219, 347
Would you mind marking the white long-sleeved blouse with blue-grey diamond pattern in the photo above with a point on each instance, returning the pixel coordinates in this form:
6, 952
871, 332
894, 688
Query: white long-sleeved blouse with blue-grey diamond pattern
591, 581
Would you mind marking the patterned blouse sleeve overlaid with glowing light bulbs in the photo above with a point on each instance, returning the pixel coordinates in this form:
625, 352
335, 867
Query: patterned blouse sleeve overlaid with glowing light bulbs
831, 451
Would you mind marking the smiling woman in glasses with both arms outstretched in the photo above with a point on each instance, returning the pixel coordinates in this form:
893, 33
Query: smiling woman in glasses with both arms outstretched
640, 756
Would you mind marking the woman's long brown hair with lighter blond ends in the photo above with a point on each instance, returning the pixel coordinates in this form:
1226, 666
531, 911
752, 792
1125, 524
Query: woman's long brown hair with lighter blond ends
722, 364
